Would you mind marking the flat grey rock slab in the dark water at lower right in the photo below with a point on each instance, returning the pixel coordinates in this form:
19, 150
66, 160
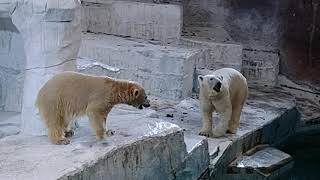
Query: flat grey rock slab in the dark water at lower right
261, 163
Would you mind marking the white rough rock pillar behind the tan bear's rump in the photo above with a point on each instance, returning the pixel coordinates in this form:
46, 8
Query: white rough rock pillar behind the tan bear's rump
52, 34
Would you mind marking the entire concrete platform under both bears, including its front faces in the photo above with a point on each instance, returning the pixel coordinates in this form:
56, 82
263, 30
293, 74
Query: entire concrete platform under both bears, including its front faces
148, 144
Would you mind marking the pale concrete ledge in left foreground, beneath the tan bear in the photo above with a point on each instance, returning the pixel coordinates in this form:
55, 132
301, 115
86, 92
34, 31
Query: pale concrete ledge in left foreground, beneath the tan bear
148, 148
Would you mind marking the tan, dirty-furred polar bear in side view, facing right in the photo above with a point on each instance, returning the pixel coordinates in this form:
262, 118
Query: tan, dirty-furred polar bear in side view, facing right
69, 94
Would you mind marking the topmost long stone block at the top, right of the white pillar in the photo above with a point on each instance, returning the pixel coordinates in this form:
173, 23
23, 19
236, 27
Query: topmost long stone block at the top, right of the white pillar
161, 22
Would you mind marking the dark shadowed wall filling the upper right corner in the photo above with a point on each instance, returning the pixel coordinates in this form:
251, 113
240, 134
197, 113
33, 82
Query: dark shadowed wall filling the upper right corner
291, 26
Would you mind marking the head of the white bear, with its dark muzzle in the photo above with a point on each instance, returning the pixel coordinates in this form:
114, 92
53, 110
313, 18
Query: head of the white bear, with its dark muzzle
211, 84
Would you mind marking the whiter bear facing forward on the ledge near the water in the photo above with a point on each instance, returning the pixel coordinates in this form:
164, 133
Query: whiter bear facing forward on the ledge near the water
224, 91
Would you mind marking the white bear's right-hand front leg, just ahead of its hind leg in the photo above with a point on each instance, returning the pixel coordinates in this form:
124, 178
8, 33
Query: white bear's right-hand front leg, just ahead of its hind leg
225, 115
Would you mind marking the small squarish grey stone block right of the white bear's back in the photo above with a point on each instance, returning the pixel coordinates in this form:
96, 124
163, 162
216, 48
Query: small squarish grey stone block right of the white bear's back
260, 67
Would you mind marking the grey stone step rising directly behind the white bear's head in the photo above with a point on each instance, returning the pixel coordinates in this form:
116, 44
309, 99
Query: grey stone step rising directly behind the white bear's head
220, 51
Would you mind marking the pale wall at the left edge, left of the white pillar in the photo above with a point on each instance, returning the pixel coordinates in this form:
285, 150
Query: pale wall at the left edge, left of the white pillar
12, 64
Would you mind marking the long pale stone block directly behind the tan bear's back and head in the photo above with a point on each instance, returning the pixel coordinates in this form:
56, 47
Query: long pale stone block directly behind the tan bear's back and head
164, 71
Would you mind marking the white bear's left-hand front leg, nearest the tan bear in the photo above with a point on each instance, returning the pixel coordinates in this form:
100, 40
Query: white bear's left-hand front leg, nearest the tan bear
206, 113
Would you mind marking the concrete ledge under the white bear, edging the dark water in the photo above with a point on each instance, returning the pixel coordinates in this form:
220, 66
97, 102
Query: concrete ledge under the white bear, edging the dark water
269, 117
